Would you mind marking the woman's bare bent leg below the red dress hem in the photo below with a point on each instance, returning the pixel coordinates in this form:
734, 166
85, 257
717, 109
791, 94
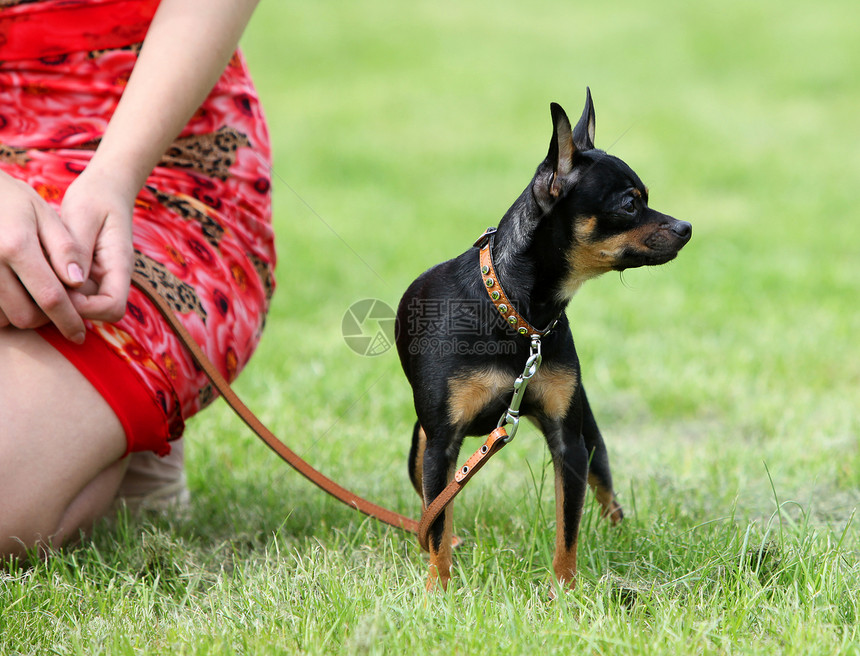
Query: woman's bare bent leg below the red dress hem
60, 446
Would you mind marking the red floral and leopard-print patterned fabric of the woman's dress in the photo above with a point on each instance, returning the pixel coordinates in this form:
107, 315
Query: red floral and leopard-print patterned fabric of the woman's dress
202, 223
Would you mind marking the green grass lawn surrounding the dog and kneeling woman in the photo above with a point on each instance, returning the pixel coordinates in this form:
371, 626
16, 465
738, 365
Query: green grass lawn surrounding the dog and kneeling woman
726, 383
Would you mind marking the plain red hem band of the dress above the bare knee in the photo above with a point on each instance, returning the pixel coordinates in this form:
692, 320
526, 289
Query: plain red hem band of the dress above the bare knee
140, 416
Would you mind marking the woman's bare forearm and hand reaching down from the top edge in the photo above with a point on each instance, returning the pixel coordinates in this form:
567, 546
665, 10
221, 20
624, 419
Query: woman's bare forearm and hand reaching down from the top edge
188, 45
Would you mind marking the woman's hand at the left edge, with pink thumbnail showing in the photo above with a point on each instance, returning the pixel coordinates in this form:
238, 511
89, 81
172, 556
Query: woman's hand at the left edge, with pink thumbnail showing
40, 262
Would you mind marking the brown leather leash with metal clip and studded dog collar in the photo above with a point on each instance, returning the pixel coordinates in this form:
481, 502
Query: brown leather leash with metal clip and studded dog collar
497, 439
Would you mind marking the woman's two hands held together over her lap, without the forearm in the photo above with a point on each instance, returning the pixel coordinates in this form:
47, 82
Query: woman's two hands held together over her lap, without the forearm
65, 268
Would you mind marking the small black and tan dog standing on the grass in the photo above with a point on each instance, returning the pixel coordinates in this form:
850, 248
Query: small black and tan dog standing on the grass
584, 213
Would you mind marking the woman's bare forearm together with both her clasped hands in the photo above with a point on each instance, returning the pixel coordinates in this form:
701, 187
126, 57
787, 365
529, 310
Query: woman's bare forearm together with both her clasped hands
77, 265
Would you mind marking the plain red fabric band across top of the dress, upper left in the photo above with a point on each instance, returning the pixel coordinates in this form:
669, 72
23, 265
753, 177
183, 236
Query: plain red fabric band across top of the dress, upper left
53, 27
